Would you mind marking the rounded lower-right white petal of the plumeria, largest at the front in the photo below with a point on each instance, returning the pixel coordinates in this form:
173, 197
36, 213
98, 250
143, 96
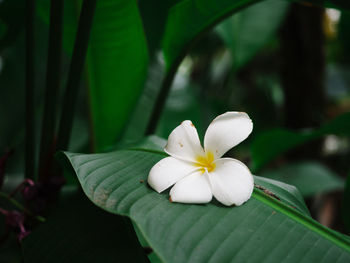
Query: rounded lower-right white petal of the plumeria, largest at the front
231, 182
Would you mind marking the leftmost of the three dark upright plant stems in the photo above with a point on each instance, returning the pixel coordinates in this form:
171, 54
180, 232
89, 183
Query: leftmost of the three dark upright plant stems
30, 83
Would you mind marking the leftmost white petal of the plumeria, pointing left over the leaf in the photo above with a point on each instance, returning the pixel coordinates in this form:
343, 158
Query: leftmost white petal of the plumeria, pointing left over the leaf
167, 172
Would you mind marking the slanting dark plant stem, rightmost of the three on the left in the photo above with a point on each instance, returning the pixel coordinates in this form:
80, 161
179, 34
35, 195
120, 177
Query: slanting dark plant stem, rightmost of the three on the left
75, 72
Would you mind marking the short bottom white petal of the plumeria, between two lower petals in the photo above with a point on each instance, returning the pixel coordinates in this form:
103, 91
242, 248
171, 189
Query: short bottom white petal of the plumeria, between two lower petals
194, 189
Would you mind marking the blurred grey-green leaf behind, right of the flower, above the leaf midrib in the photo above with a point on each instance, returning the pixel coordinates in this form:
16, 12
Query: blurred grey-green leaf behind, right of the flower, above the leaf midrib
310, 178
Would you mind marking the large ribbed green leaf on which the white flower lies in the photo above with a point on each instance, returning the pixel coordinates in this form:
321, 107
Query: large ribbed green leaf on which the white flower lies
264, 229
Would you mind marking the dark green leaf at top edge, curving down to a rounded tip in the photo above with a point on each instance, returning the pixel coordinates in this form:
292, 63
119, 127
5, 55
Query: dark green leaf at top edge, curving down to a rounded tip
187, 20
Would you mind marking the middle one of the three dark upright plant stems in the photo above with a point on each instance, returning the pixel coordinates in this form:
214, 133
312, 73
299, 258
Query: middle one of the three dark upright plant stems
53, 75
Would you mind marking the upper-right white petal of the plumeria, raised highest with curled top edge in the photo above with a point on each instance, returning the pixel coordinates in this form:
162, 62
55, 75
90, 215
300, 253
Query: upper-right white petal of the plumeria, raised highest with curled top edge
226, 131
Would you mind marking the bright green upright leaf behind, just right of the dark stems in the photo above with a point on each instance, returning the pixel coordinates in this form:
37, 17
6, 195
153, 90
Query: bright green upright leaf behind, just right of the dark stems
117, 63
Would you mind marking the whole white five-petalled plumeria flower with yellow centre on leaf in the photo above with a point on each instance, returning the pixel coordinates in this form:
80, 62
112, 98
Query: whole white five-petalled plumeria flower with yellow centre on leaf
199, 173
